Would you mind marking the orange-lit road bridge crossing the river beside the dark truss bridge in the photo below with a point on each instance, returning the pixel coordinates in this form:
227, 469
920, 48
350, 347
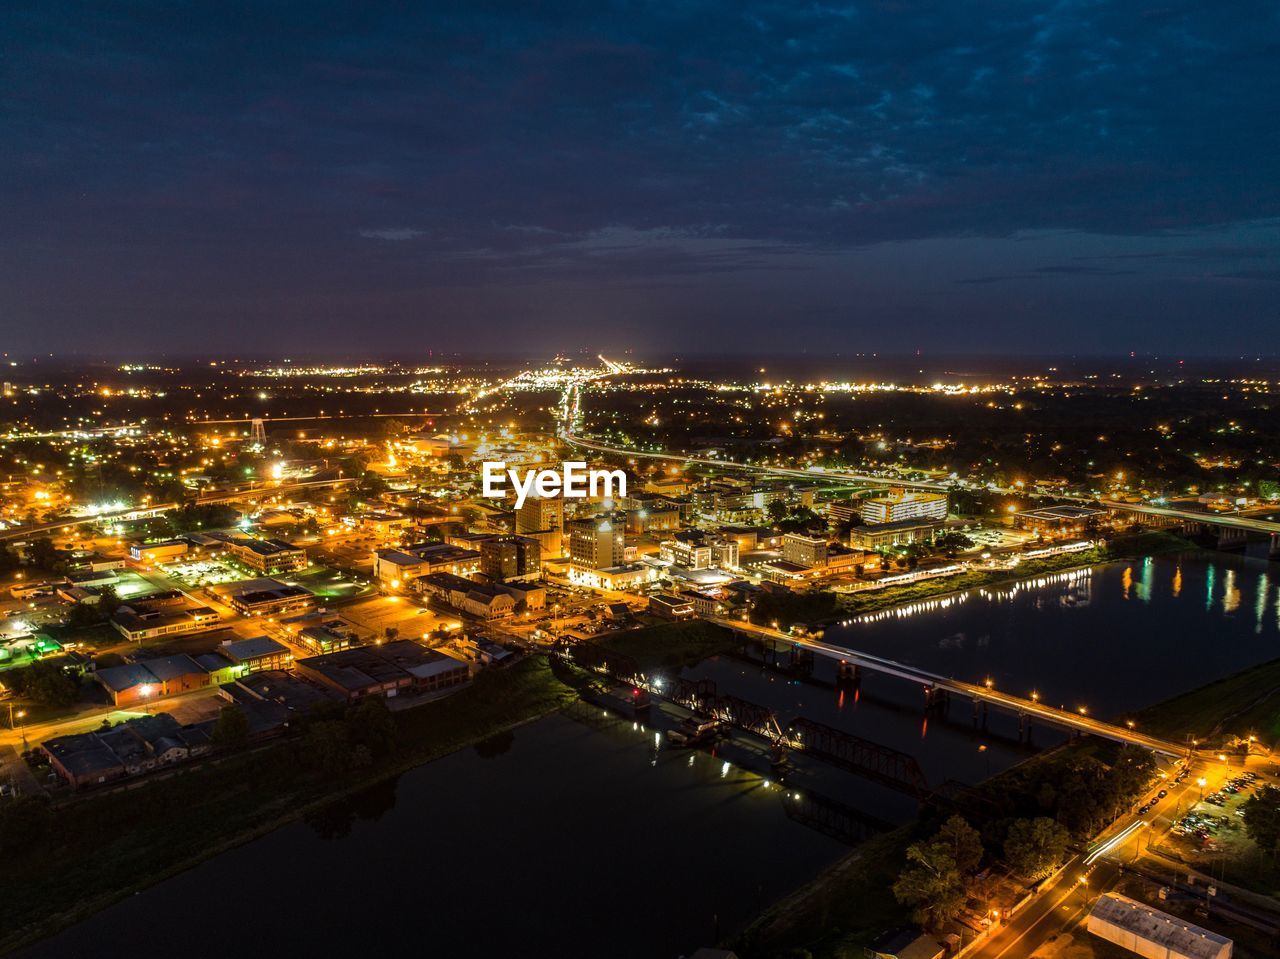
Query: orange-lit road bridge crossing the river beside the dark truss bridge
979, 693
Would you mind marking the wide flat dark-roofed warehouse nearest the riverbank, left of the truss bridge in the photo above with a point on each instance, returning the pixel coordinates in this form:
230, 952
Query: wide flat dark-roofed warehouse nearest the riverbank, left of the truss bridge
387, 670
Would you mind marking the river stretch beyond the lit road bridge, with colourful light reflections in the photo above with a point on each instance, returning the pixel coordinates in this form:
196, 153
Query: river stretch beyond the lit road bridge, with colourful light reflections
1082, 637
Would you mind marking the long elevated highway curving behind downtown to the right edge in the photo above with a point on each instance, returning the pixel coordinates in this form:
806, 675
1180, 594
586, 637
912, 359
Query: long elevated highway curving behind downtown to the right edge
1232, 522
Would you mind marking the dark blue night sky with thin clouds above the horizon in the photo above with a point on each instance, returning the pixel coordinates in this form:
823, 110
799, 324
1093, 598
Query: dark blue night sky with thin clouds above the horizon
391, 179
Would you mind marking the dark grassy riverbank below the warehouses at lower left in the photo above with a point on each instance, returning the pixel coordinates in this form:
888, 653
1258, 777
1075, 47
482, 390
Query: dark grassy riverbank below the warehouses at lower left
104, 848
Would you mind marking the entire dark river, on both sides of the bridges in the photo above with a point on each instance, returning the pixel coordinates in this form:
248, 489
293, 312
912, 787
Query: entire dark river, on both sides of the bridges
584, 834
